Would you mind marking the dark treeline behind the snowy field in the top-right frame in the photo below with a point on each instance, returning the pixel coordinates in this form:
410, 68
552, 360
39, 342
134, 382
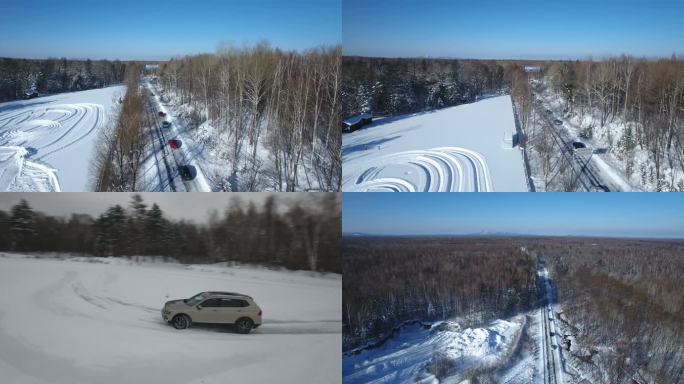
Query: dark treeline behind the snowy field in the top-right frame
388, 86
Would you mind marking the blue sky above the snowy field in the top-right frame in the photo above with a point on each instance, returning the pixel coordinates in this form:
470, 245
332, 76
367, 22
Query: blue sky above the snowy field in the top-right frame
534, 29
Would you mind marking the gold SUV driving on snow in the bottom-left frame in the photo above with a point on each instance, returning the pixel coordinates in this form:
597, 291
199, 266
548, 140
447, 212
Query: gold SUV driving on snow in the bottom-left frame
216, 308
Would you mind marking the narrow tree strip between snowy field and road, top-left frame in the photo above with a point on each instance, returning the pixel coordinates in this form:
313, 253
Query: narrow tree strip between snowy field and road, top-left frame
122, 144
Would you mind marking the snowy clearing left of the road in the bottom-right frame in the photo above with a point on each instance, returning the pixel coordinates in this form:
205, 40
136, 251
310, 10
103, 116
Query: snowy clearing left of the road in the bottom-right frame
405, 357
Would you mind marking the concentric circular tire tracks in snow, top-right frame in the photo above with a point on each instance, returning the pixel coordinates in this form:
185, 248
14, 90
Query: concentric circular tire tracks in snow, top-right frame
445, 169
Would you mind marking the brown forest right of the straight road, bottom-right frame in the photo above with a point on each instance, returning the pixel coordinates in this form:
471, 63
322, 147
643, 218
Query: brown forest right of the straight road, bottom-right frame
625, 302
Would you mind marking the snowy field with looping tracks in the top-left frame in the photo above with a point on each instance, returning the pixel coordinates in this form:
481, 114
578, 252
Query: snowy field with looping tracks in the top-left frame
46, 143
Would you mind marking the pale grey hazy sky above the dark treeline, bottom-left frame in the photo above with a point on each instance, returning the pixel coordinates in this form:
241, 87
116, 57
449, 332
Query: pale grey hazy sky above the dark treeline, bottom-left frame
192, 206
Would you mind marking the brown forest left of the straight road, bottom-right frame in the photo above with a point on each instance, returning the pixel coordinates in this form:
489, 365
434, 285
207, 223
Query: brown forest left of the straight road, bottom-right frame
388, 281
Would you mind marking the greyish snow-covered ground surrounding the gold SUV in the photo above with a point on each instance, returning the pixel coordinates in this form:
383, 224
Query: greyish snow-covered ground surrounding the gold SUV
71, 321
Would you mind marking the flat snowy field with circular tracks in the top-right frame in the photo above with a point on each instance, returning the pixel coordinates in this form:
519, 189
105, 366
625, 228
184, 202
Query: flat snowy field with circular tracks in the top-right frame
463, 148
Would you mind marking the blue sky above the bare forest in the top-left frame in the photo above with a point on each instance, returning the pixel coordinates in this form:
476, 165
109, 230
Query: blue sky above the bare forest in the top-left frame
155, 29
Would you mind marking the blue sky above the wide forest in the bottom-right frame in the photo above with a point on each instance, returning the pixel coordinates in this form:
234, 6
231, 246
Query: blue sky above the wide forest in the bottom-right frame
584, 214
